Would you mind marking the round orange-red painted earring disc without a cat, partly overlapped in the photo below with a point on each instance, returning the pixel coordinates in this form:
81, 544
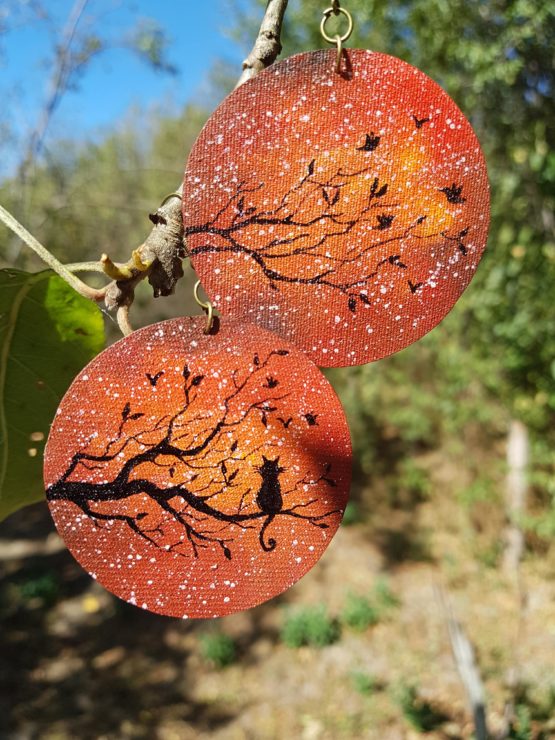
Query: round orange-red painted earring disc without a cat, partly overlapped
346, 212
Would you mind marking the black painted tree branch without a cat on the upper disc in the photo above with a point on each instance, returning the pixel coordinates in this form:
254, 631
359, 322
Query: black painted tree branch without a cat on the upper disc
307, 220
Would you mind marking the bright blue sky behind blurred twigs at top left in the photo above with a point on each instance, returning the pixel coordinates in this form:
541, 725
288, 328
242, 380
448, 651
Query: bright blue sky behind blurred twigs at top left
117, 79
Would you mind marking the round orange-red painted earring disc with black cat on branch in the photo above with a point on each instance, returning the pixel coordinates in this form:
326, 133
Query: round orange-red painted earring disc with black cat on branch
195, 475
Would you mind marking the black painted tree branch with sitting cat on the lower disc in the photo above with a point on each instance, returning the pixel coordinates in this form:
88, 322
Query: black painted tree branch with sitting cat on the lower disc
198, 455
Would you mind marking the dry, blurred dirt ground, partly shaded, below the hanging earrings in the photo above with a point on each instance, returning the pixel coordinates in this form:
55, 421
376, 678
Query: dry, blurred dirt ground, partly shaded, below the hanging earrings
78, 663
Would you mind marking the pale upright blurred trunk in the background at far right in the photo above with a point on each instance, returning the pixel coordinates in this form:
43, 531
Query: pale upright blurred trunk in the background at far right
516, 489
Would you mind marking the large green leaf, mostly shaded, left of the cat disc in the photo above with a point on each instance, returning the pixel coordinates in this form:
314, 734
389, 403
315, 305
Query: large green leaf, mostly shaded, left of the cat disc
47, 334
